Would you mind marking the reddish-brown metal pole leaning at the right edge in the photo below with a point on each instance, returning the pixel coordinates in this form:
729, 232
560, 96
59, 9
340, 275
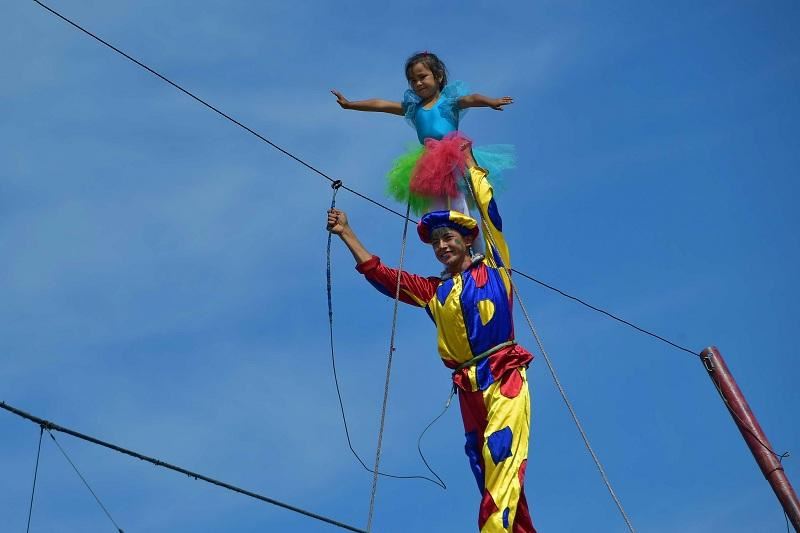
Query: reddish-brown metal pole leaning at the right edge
751, 431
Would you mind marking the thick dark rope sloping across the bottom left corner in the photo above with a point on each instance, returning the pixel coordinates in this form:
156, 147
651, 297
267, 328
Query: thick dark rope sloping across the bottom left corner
51, 426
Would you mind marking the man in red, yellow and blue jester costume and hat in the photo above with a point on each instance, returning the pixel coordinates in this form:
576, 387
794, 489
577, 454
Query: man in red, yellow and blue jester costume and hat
471, 305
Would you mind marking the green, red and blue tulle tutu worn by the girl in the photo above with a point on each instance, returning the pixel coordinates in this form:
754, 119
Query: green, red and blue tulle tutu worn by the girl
435, 171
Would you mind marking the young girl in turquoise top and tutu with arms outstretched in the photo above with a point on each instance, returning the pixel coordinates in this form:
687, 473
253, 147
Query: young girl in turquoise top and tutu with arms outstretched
429, 177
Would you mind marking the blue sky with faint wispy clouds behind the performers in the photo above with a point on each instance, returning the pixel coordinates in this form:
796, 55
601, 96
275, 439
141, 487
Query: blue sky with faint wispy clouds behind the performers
163, 280
